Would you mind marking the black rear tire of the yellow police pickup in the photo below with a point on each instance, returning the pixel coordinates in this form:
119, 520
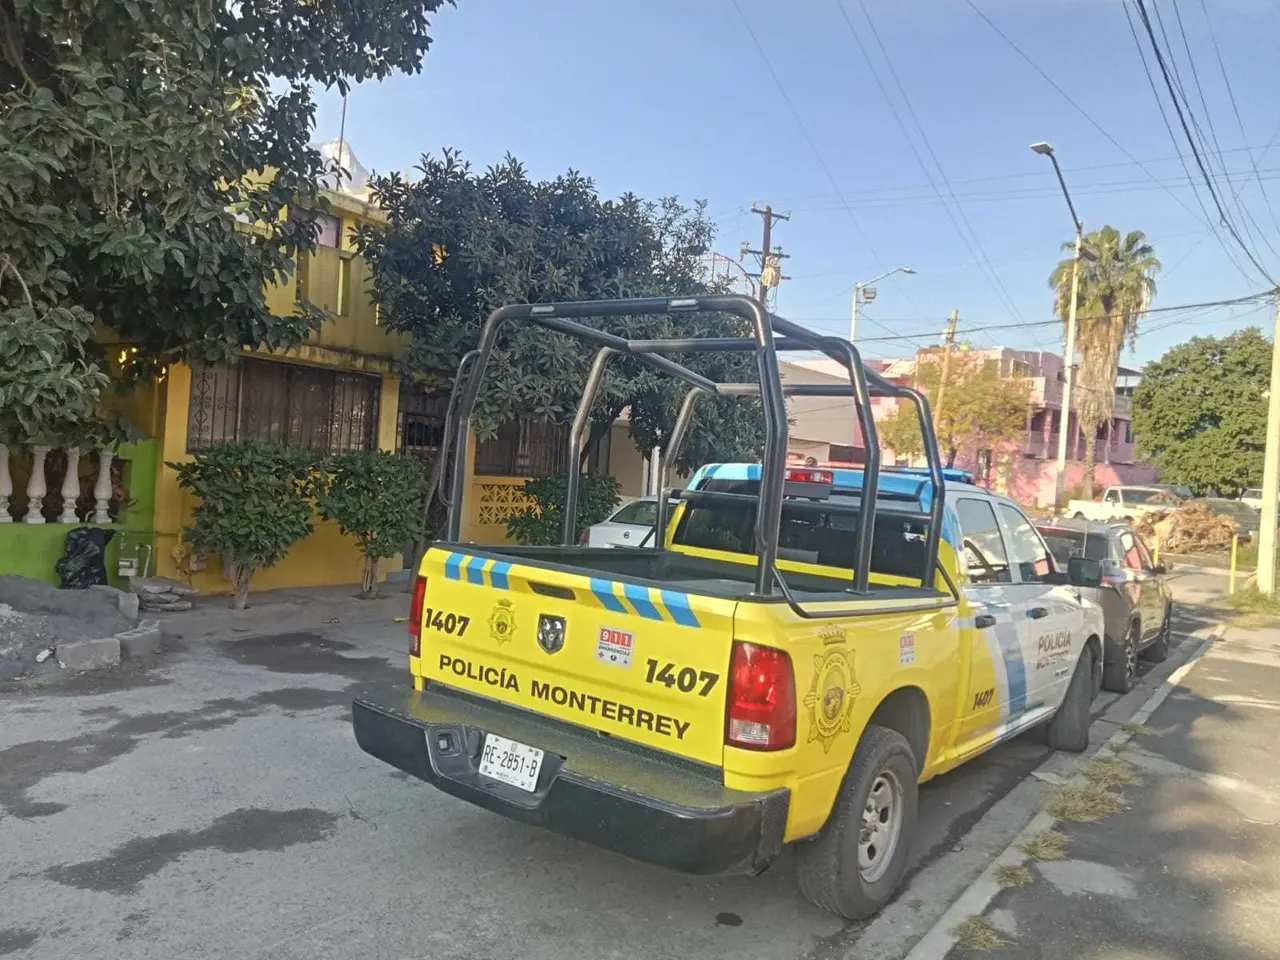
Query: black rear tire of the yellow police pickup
828, 867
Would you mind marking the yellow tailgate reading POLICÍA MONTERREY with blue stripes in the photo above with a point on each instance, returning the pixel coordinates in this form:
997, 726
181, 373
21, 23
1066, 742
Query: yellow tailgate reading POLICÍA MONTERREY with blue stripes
624, 659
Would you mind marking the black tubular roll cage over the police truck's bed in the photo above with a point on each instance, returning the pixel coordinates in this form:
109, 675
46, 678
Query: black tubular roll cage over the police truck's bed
771, 335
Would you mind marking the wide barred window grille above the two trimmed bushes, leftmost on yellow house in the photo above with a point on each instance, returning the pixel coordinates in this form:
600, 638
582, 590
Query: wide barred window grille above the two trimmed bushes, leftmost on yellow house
323, 412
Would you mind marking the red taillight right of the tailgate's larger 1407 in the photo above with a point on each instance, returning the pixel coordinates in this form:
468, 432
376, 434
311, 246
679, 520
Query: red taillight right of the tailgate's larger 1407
761, 712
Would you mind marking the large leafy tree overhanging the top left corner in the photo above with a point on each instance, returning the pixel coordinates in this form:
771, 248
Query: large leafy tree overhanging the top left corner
149, 154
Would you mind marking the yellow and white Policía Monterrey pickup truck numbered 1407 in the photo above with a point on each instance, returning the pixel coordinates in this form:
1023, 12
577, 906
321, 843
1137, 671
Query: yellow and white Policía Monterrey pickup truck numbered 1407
801, 651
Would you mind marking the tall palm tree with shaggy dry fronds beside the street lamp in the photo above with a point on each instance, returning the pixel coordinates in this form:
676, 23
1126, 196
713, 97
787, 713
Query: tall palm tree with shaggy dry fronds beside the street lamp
1116, 289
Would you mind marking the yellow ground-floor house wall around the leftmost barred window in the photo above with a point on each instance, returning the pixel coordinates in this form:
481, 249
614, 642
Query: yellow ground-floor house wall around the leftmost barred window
324, 559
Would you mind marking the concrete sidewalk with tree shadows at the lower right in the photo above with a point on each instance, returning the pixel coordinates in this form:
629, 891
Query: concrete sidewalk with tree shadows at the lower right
1190, 866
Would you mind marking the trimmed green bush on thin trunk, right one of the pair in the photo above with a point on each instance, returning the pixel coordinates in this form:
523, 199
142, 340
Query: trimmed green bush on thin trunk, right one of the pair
377, 499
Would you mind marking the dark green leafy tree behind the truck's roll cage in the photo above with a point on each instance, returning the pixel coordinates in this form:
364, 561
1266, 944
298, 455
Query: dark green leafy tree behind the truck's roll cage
461, 244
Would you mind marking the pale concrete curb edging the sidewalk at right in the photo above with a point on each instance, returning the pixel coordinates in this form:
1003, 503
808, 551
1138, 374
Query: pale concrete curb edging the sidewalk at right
979, 895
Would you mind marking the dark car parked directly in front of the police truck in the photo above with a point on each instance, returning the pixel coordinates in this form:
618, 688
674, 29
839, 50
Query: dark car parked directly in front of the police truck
1135, 597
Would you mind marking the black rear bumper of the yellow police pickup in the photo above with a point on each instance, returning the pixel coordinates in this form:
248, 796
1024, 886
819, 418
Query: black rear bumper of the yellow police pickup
591, 788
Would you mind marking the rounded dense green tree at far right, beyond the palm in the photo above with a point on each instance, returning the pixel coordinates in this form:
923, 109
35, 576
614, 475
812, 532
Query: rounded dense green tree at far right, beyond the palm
1200, 413
